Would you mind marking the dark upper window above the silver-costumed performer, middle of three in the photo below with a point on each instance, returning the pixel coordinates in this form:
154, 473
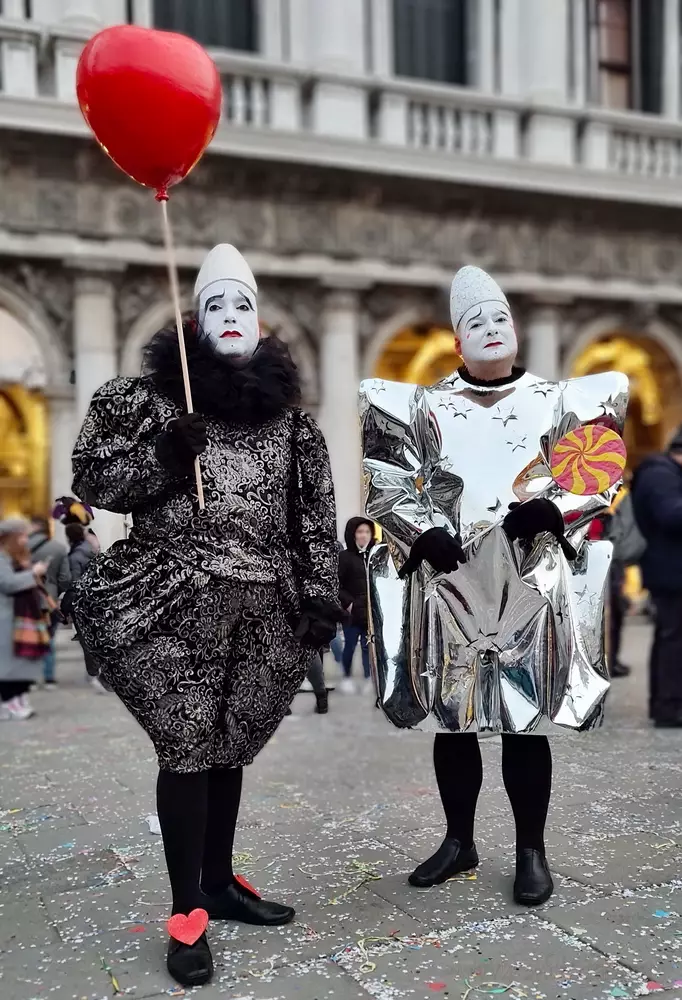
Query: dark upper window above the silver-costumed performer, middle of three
431, 39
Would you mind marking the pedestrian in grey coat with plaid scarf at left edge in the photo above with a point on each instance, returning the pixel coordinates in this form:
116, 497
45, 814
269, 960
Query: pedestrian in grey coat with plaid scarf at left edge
24, 637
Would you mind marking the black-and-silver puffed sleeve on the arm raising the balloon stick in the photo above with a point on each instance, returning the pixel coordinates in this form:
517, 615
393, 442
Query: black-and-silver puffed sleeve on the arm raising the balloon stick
114, 461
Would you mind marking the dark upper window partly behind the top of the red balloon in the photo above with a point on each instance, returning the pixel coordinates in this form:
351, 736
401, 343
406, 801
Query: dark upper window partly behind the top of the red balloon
226, 24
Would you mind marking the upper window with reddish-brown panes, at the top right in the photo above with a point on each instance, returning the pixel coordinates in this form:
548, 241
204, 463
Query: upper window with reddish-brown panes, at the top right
626, 38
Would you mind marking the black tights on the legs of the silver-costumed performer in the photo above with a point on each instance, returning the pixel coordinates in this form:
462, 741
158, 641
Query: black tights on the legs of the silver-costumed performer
527, 774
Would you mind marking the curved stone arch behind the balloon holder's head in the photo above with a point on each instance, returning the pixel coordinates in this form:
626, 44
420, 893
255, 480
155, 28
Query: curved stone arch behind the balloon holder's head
160, 314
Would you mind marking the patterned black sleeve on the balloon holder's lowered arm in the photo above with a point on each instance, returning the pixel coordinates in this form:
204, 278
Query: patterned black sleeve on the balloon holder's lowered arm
314, 513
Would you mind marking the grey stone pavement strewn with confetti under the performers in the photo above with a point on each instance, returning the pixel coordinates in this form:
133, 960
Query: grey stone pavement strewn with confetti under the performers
337, 811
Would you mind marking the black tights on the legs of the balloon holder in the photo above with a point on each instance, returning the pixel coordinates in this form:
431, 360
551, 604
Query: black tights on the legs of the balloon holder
198, 816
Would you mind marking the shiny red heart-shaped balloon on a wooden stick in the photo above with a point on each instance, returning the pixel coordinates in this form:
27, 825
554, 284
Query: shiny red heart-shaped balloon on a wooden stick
152, 99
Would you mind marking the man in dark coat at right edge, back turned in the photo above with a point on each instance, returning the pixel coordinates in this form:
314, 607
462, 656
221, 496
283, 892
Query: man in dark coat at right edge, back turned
657, 500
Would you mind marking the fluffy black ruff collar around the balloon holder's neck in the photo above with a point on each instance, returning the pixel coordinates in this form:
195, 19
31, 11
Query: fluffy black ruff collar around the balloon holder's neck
252, 394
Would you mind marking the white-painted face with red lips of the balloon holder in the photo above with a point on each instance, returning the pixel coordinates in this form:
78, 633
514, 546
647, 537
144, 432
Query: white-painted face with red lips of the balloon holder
229, 320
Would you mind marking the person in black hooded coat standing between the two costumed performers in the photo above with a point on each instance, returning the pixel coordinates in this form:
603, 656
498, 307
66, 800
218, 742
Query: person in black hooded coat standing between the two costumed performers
360, 538
